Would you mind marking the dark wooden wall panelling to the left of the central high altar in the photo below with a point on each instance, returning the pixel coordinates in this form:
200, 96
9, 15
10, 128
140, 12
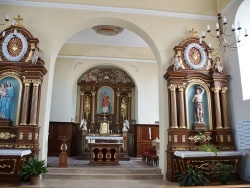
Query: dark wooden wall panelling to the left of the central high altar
59, 130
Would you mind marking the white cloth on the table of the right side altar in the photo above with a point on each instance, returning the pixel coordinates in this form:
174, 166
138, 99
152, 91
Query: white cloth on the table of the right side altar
188, 154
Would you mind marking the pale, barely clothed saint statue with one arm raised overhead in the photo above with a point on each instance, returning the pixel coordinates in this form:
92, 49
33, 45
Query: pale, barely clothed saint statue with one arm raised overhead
198, 104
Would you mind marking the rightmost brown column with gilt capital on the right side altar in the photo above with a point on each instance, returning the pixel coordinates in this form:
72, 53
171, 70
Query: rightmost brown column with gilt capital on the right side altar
224, 103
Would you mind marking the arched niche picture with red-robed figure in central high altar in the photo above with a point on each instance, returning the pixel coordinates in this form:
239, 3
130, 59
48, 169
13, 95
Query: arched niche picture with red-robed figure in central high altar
105, 99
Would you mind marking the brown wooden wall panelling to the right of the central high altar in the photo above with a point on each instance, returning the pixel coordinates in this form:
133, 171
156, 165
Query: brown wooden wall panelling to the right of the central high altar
144, 134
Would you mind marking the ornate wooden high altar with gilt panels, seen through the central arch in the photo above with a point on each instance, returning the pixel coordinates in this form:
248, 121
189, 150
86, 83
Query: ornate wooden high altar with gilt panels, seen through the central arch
105, 103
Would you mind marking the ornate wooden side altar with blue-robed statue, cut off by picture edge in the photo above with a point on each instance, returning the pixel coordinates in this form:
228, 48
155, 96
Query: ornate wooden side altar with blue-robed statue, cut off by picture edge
22, 71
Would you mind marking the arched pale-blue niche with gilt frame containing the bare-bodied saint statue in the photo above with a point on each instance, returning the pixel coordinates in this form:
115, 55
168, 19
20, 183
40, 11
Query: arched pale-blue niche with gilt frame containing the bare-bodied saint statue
197, 105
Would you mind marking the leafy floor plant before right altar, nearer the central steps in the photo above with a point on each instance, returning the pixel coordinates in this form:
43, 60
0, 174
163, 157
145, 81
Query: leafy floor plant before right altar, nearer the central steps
193, 177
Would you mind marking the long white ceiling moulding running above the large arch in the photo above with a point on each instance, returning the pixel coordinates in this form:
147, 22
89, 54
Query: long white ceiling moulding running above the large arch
107, 9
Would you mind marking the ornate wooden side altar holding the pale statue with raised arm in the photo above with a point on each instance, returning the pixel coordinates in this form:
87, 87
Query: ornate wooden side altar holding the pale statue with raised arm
197, 102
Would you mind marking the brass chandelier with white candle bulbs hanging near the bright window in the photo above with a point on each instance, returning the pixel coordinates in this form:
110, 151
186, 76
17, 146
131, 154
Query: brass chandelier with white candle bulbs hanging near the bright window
222, 33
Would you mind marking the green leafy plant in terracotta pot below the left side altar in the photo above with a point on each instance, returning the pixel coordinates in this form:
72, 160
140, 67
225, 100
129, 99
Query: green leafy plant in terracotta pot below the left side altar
32, 169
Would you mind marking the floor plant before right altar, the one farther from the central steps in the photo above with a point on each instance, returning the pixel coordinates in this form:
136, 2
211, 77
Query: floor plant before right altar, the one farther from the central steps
223, 171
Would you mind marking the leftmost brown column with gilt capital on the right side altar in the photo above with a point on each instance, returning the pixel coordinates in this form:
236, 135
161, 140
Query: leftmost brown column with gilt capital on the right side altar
172, 88
